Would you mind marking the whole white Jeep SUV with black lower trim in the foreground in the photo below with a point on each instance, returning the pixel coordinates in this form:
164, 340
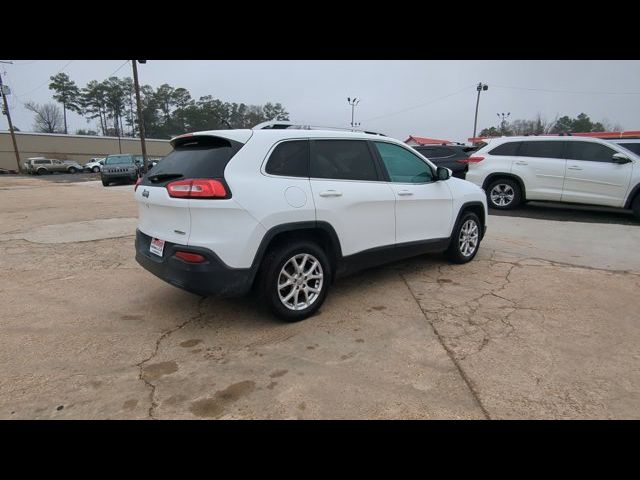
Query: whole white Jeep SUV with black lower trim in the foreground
289, 210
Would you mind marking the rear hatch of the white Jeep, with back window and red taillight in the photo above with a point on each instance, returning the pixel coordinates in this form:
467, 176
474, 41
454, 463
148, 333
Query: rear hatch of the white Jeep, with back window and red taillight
193, 171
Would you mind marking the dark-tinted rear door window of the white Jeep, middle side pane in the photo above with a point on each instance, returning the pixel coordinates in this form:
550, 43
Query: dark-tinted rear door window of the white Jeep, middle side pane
342, 160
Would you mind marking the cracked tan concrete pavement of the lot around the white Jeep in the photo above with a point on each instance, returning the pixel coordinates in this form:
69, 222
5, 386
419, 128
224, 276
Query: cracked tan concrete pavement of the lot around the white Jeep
544, 323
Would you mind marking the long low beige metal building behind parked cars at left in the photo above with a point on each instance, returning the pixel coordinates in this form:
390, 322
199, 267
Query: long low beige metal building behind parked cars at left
72, 147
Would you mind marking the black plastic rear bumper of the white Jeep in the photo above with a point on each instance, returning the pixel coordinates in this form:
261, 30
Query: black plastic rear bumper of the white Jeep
208, 278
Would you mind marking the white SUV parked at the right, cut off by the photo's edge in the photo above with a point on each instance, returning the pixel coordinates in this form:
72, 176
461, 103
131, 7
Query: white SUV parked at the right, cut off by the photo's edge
562, 169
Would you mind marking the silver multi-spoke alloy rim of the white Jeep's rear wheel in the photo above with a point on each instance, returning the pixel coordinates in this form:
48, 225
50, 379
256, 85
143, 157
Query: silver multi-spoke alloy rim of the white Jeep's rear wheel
300, 281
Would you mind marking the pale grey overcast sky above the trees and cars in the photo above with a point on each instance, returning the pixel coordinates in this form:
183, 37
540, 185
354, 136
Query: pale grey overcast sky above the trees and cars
398, 98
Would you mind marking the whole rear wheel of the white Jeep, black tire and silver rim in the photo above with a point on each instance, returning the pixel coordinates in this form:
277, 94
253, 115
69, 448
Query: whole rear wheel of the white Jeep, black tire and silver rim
295, 280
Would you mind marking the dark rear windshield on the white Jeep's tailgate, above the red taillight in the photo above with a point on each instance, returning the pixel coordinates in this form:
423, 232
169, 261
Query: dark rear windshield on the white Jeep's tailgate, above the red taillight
198, 157
